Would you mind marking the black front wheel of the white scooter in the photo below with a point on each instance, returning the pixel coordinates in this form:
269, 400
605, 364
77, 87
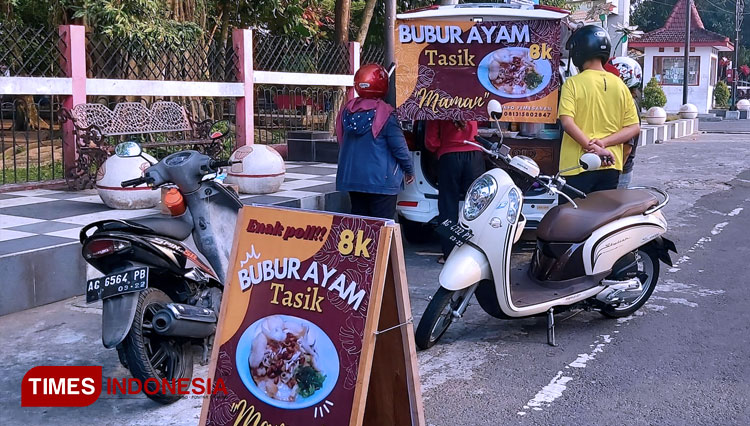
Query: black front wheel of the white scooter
437, 317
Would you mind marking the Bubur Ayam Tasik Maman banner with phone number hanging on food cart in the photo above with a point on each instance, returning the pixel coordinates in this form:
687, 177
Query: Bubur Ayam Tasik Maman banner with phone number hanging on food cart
450, 70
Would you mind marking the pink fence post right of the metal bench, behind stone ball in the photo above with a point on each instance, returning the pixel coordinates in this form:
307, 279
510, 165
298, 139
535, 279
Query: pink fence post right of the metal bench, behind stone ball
243, 45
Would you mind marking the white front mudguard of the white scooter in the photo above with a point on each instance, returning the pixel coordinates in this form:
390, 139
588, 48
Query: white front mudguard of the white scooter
466, 266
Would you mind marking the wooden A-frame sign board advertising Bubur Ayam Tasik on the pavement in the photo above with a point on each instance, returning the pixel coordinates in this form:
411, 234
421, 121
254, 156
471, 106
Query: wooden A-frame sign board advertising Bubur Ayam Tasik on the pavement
315, 324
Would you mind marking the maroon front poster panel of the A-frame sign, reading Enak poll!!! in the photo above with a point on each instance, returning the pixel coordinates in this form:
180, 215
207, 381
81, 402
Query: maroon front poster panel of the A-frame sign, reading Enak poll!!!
290, 338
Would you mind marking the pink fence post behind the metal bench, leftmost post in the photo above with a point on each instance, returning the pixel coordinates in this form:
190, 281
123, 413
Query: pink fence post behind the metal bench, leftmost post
73, 38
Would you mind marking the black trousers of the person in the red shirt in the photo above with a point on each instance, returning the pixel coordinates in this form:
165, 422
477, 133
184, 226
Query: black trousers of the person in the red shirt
457, 171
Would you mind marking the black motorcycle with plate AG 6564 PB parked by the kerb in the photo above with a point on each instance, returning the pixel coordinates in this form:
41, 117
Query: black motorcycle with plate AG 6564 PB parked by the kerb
161, 292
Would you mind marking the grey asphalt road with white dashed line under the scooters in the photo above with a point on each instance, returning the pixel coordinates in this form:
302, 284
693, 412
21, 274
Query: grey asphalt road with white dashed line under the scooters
680, 360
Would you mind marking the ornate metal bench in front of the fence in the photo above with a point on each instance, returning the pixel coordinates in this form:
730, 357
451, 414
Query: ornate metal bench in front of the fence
98, 129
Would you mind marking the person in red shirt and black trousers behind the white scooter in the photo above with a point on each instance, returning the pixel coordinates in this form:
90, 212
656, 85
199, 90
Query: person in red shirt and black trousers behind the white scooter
460, 164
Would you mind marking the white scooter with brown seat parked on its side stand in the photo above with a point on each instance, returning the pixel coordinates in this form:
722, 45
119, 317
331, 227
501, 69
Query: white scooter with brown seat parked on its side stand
601, 252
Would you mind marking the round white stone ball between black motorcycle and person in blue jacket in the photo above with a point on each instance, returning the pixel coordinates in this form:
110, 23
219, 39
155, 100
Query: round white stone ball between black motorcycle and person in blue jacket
261, 170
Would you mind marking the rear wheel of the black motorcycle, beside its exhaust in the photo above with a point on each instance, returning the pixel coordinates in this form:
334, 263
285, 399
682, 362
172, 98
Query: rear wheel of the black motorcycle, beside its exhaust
152, 356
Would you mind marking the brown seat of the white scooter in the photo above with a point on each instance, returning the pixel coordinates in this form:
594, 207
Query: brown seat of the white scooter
567, 224
